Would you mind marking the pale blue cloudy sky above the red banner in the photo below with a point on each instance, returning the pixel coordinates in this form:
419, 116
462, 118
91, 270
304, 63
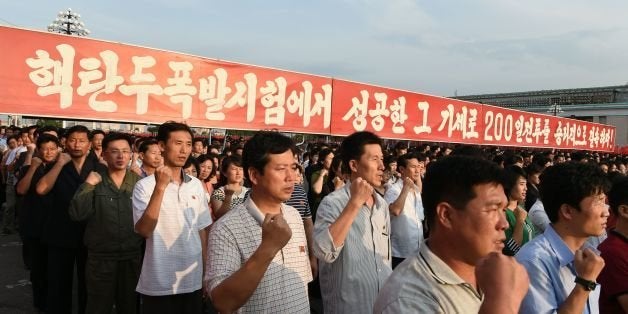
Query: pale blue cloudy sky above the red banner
438, 47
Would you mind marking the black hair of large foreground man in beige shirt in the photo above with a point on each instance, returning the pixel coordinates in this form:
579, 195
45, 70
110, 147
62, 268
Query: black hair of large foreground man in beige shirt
452, 179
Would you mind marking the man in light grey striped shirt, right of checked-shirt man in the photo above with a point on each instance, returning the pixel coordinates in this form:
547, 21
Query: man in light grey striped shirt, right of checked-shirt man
351, 231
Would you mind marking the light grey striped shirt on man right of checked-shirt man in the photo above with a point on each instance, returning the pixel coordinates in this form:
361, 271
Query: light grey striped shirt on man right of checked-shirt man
352, 274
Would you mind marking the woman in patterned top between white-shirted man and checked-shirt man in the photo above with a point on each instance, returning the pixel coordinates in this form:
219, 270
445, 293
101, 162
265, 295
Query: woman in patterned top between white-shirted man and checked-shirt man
231, 191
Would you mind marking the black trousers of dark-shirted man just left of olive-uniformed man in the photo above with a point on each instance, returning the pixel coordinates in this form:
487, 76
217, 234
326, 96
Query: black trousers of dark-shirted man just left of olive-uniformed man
61, 262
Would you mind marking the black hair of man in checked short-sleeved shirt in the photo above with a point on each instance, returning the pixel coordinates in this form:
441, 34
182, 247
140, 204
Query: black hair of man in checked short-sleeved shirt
258, 149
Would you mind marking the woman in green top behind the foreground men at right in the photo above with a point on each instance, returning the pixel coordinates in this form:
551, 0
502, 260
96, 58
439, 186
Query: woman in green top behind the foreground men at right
520, 229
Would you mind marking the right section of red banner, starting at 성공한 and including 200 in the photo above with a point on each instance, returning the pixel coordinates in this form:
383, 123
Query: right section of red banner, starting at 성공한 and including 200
406, 115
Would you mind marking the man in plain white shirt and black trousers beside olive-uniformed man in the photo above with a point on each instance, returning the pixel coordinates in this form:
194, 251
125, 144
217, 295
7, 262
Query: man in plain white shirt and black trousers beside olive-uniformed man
171, 211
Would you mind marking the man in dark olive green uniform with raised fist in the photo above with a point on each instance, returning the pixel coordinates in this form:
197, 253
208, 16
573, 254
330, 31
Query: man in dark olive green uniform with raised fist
104, 202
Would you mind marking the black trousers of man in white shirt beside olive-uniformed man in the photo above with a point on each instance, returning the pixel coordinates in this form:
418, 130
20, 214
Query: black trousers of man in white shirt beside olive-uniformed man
185, 303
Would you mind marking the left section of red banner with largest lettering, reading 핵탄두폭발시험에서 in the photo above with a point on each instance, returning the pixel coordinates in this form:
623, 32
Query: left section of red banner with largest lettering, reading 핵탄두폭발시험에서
54, 75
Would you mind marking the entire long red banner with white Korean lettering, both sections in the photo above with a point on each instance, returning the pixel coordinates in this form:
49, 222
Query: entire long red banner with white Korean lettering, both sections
51, 75
